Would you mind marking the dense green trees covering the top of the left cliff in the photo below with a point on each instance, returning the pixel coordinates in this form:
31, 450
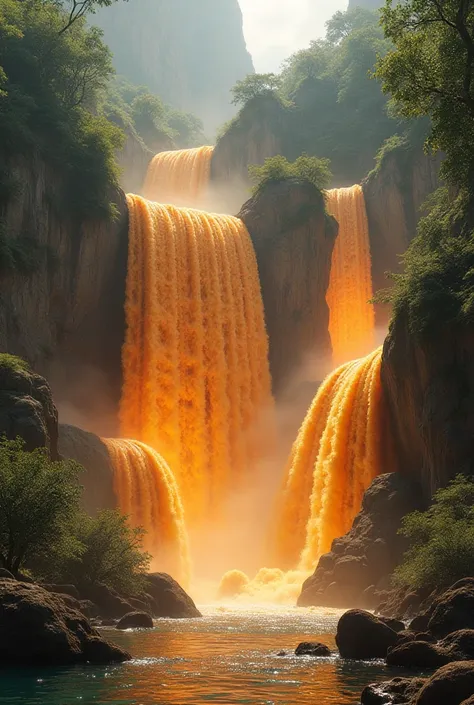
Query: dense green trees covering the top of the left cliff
52, 83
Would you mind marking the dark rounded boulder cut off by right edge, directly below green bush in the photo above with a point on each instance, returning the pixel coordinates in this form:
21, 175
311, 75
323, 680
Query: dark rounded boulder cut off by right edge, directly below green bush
454, 611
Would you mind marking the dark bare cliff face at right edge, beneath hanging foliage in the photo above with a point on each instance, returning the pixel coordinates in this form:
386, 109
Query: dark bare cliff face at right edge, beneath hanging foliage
430, 391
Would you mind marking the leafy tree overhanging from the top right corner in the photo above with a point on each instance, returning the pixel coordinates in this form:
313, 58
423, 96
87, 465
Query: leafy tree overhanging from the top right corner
430, 72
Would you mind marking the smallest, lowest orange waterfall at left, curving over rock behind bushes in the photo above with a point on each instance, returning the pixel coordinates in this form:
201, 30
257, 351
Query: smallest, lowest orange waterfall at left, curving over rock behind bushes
148, 494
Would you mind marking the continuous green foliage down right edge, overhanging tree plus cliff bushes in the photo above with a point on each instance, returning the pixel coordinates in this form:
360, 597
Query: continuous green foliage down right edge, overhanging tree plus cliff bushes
429, 73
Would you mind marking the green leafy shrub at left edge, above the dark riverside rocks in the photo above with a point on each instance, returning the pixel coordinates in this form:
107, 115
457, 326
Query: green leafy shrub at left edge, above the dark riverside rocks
37, 499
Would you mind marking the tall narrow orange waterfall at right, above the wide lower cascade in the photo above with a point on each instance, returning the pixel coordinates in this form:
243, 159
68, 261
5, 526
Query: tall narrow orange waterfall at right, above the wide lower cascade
351, 316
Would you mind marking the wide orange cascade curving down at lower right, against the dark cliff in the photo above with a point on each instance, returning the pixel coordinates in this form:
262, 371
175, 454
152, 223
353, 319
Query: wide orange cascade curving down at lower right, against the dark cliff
337, 454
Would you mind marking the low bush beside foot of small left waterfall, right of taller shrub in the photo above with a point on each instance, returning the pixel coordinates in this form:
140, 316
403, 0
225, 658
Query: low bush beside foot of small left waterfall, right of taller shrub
112, 553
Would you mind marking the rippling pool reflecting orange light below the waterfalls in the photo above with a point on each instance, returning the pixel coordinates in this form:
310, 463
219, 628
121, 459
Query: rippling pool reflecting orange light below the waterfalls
227, 657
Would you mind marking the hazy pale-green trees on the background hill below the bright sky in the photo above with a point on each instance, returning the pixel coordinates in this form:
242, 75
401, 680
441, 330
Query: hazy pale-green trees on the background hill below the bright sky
333, 109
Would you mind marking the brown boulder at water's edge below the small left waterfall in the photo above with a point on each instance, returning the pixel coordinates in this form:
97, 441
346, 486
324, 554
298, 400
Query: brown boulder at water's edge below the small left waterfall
169, 599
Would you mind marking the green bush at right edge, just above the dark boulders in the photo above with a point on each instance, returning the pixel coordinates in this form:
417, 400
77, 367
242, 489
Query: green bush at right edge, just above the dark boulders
442, 539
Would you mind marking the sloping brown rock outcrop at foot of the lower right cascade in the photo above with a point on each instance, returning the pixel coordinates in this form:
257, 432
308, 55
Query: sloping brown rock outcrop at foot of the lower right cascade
356, 570
